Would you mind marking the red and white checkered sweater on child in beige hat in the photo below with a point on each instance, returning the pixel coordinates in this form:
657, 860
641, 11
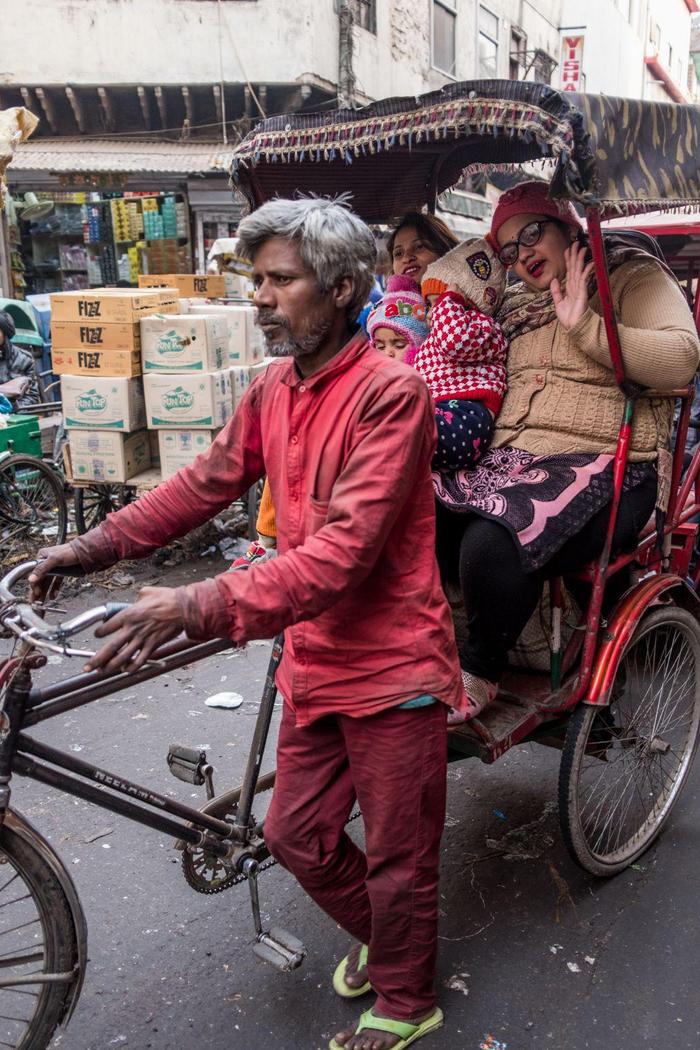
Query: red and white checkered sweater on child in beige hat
464, 356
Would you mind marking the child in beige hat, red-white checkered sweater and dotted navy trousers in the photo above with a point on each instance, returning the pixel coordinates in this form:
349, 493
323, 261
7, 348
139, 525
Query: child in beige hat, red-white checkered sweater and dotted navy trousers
463, 361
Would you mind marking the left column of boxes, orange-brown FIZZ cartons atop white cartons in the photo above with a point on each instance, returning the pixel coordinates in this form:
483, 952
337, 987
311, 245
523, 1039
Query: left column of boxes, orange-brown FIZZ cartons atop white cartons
97, 351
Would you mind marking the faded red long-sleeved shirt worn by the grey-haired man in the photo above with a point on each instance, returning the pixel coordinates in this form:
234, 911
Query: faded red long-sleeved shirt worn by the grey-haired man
348, 454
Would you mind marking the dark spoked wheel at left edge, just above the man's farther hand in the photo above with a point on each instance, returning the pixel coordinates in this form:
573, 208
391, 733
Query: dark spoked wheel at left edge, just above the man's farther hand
33, 508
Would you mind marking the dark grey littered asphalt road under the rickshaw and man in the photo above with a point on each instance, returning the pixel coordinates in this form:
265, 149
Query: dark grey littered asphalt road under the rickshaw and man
534, 953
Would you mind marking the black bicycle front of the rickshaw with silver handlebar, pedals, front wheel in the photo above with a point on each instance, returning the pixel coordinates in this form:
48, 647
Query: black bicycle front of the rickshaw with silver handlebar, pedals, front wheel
44, 933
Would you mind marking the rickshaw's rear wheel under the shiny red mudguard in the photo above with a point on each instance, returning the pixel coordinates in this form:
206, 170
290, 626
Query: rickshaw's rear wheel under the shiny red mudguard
624, 767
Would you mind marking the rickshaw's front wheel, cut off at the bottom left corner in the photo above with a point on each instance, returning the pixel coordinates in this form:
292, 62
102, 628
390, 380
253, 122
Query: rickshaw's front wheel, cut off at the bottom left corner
38, 947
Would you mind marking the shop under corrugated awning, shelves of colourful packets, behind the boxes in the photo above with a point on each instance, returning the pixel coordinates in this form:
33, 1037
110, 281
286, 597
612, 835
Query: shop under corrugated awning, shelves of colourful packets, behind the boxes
87, 214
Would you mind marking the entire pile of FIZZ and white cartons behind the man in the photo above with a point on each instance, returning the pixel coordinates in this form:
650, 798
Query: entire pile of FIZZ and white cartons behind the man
153, 360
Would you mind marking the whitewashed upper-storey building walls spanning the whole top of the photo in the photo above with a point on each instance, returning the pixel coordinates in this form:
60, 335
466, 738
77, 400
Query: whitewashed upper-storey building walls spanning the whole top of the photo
114, 43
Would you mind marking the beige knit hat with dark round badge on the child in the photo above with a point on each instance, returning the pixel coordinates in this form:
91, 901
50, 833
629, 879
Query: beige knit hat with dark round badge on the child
474, 270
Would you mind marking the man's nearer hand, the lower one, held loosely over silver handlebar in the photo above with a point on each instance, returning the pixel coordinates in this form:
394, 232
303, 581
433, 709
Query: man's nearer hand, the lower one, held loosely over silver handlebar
155, 619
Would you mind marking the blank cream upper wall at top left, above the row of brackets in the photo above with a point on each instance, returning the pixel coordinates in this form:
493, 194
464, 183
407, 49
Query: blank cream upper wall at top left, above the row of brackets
167, 41
